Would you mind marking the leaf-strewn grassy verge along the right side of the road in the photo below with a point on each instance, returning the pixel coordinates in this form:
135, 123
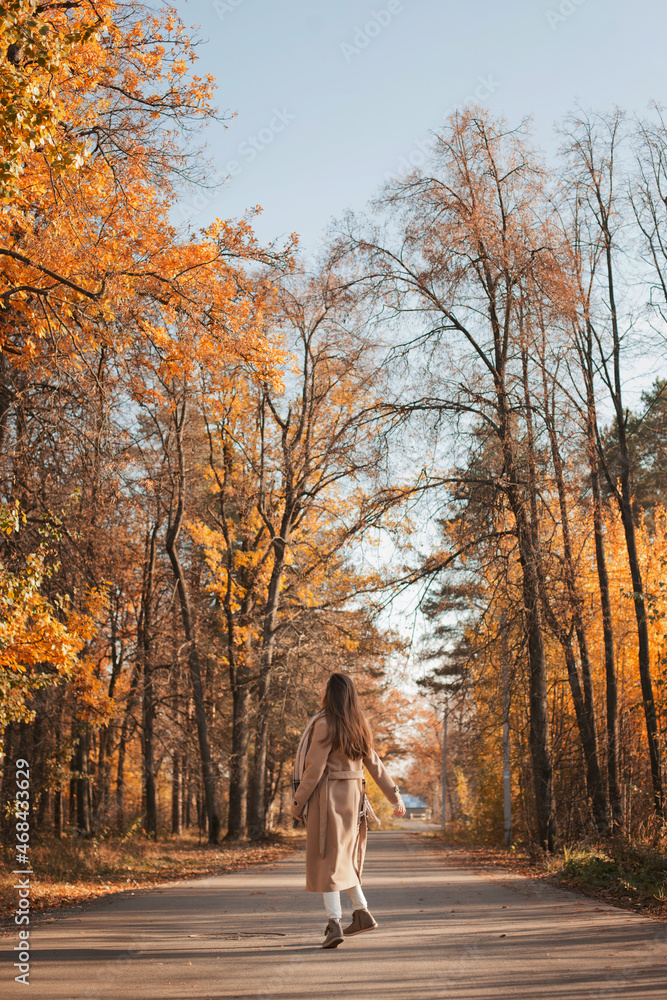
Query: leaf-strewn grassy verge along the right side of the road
632, 876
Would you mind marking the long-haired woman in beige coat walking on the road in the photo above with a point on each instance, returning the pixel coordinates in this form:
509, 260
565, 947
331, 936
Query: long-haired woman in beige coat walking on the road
331, 795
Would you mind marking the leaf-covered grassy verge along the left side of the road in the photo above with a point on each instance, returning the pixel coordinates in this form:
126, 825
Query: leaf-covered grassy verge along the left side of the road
73, 870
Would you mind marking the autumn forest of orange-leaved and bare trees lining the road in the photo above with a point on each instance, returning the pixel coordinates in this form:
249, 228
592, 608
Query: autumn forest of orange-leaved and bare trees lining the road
221, 463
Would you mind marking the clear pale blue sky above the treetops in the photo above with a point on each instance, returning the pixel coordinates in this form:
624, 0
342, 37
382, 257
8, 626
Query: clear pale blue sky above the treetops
324, 111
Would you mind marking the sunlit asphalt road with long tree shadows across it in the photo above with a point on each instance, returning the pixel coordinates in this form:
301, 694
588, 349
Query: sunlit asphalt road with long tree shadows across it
445, 932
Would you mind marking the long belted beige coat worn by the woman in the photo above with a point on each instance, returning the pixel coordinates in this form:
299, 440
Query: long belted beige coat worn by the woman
332, 784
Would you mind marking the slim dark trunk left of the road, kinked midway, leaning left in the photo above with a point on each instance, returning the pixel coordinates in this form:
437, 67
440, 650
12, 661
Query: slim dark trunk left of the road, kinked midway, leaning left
176, 518
